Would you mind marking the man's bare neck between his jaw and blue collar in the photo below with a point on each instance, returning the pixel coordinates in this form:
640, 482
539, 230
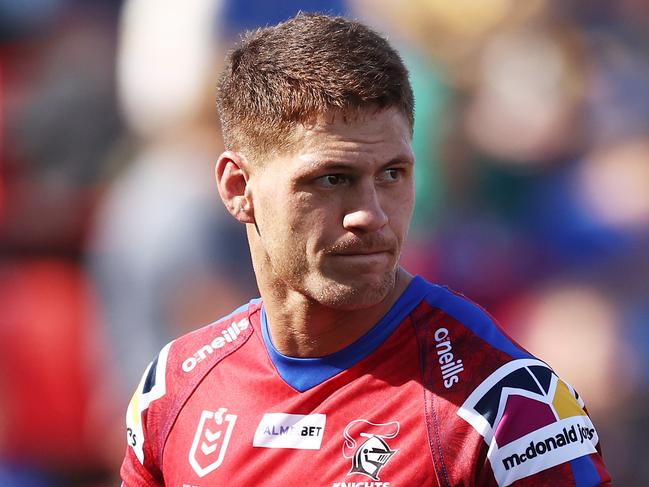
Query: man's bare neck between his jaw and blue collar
300, 327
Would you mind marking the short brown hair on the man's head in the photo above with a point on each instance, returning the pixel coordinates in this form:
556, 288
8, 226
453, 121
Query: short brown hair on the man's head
292, 72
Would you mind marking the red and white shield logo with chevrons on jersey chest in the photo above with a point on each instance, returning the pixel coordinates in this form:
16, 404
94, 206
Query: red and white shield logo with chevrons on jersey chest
211, 441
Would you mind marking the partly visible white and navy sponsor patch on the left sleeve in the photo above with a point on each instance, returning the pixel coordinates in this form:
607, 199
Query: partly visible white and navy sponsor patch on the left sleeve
152, 386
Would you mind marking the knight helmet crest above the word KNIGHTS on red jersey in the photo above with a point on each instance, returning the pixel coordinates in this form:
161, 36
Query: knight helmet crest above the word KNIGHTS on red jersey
365, 445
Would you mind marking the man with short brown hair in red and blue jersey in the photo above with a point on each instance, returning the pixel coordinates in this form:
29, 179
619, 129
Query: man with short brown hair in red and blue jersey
348, 371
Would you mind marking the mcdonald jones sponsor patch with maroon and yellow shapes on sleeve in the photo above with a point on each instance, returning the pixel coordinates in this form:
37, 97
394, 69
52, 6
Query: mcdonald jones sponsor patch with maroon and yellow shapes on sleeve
530, 419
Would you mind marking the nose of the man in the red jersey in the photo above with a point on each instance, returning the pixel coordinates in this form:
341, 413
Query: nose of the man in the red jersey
365, 211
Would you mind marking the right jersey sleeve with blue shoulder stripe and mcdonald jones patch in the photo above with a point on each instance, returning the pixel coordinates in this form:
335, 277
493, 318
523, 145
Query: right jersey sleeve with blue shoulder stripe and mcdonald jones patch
499, 416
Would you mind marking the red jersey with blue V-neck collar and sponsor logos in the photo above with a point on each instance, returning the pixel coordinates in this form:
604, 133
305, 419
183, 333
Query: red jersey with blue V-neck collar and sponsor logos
435, 394
